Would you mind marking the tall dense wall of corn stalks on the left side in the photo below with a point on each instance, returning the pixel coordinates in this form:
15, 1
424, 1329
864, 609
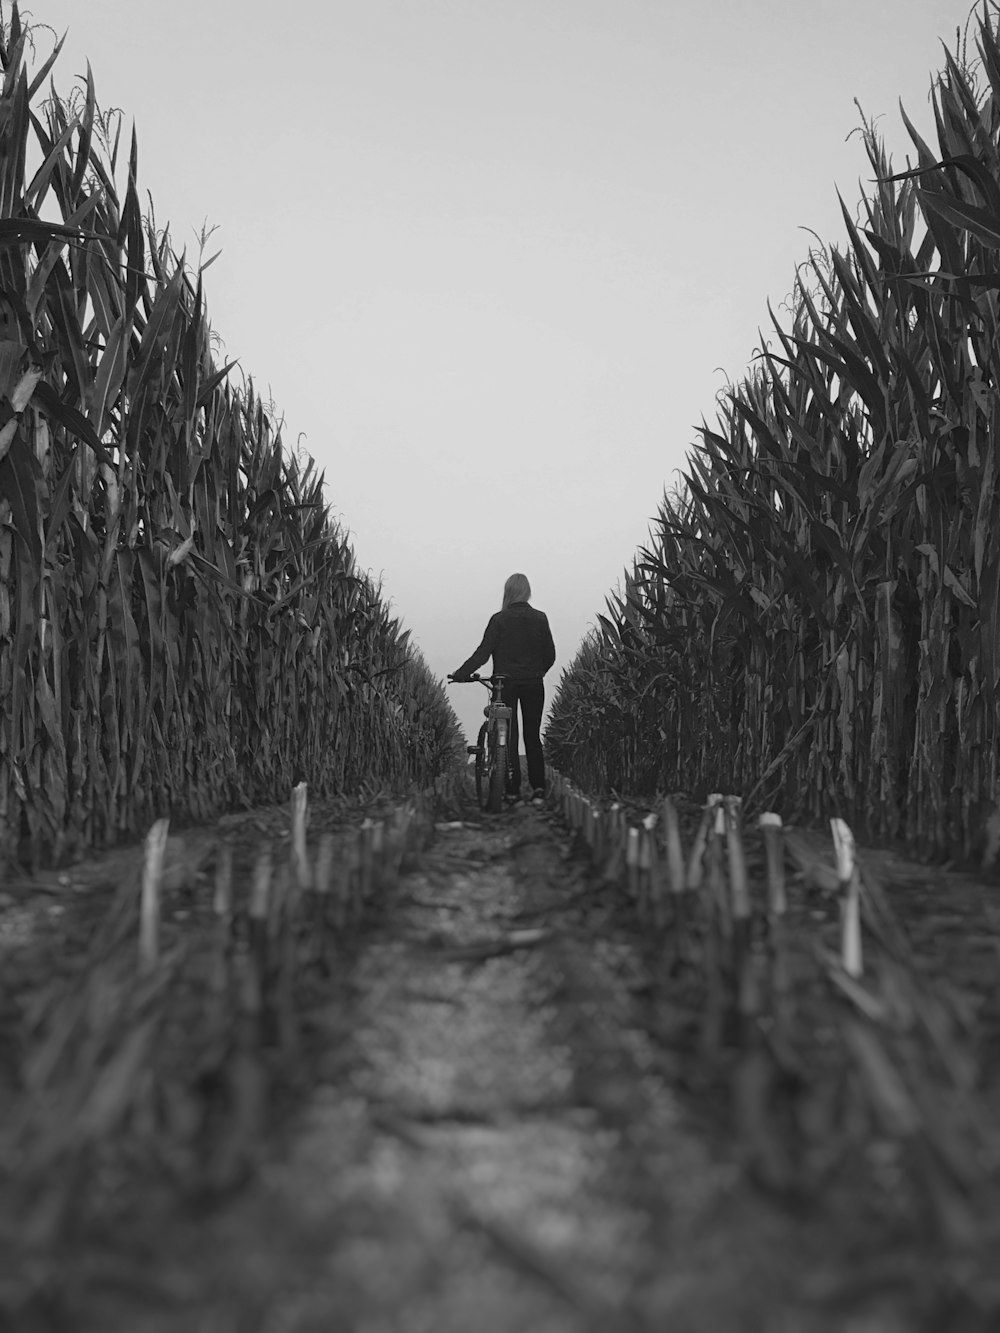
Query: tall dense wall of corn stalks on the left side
183, 627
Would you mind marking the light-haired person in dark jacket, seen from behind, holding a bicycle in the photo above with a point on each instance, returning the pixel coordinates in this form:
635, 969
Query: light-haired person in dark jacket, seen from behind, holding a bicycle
519, 641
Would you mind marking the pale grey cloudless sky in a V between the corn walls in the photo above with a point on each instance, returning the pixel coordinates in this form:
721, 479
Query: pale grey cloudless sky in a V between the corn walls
494, 261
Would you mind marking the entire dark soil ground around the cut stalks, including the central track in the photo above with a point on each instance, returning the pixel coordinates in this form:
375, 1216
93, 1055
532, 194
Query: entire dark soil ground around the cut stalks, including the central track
507, 1102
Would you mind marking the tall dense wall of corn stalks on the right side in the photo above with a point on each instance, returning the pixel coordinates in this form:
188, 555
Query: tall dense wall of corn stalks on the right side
815, 621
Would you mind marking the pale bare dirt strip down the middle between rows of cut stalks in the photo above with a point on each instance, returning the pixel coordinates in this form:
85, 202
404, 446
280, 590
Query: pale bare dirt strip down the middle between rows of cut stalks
506, 1092
